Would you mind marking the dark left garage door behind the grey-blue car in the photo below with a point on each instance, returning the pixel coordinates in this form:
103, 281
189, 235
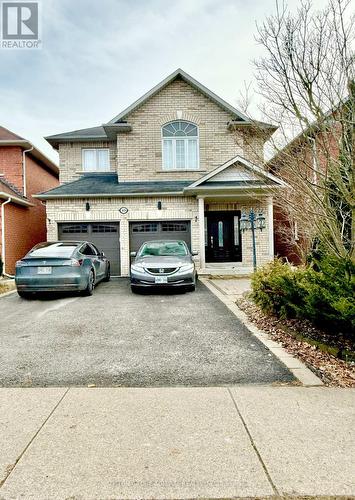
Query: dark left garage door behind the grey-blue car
104, 235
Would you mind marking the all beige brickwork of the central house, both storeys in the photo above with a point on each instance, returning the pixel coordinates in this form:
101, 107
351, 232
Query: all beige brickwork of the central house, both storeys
137, 156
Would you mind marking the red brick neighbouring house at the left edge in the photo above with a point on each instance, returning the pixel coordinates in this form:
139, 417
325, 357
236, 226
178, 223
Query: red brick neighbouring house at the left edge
24, 171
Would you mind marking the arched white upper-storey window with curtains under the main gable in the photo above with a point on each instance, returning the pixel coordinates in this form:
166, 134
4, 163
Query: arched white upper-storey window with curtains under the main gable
180, 146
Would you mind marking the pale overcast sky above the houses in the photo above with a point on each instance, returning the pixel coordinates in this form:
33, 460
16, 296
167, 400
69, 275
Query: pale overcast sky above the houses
99, 56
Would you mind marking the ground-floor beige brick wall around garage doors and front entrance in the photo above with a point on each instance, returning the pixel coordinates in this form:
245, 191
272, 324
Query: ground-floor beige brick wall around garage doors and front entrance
139, 209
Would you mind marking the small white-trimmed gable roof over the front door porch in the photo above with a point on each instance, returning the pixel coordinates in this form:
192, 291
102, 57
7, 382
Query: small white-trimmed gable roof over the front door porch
260, 173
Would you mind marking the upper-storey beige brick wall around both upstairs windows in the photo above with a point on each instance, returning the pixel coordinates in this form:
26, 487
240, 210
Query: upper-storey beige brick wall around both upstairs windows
137, 155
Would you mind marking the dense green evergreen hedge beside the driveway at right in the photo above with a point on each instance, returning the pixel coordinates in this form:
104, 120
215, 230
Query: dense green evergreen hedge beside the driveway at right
325, 296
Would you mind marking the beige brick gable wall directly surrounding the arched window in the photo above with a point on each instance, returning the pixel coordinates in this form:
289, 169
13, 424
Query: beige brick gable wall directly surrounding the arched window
140, 151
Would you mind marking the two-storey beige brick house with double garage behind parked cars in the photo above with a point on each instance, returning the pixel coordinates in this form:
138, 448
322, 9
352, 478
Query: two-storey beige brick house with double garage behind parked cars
174, 164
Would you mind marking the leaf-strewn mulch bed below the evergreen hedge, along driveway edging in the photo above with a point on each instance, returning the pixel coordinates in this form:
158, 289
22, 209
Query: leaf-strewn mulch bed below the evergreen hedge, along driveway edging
331, 370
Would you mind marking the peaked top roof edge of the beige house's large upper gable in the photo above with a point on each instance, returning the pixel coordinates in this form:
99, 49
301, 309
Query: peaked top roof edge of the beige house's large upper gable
179, 73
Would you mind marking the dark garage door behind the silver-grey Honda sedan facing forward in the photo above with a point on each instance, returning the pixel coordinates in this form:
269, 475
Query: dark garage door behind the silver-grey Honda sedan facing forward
158, 230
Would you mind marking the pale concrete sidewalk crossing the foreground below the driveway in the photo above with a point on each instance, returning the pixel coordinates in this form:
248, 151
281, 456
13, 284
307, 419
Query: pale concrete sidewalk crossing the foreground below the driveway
176, 443
